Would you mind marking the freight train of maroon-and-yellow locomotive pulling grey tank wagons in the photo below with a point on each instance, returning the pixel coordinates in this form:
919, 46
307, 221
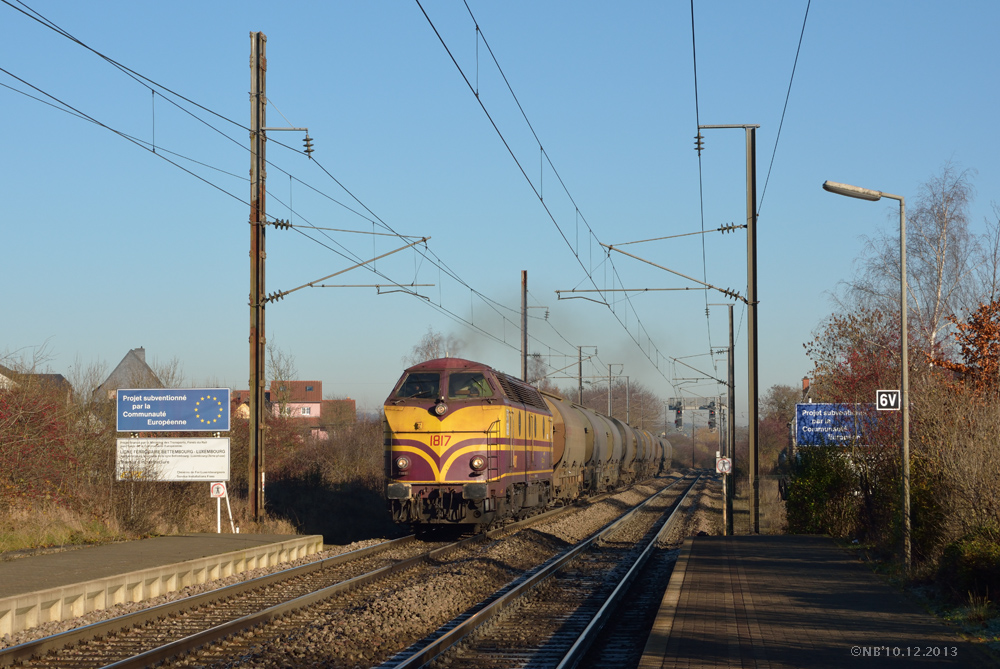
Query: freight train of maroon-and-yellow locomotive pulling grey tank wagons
466, 444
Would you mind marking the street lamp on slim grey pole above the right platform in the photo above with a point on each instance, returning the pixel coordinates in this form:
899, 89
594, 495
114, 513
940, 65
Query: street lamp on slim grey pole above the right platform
874, 195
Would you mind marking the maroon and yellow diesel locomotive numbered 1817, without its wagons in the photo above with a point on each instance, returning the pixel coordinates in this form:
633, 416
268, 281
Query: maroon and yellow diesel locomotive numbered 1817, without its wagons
466, 444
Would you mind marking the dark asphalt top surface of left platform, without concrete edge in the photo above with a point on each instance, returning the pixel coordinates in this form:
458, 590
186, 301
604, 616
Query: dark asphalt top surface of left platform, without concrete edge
52, 570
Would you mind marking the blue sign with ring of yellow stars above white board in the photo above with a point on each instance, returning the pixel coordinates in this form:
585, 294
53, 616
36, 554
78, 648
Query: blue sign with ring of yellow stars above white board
173, 410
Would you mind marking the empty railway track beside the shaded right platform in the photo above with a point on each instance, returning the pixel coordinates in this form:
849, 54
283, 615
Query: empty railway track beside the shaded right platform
551, 615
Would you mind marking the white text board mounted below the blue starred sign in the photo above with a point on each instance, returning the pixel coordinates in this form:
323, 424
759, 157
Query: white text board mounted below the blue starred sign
182, 459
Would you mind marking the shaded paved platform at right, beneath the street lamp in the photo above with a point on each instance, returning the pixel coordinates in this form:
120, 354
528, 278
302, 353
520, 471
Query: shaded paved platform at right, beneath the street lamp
792, 601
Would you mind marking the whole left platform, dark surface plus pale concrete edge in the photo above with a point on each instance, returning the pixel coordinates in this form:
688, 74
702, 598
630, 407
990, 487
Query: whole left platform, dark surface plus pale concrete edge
66, 584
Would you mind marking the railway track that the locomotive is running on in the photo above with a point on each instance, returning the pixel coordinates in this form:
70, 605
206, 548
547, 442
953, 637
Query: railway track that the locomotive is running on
169, 630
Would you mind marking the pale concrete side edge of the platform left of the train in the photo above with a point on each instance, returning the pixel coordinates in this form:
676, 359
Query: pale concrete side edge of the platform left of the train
27, 610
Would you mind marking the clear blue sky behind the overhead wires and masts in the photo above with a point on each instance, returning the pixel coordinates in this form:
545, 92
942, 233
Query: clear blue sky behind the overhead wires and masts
108, 247
